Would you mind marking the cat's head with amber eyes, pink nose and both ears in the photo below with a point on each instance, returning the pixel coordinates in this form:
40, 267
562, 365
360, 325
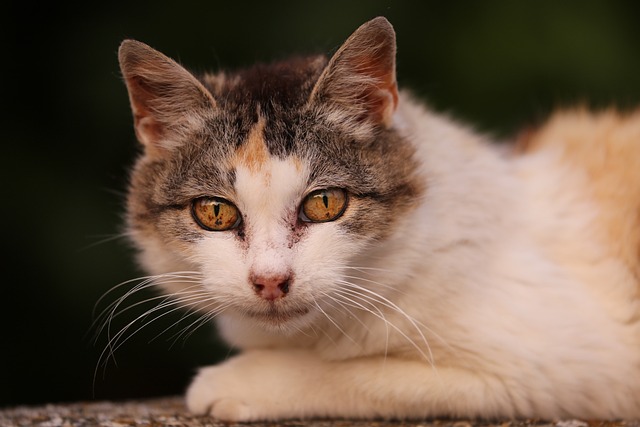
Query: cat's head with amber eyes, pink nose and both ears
260, 191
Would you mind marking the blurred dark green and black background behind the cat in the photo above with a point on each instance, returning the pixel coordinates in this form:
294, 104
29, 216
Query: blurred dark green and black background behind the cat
68, 141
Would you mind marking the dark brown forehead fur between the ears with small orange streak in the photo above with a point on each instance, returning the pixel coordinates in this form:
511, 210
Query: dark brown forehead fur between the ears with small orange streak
261, 107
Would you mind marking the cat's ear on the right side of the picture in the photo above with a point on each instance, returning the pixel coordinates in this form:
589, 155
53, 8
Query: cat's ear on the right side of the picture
360, 78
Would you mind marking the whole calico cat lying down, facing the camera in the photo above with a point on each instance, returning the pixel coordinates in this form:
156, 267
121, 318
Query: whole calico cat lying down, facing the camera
371, 258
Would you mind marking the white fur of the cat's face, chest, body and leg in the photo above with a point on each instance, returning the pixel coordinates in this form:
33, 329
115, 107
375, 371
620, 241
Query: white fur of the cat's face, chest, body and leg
491, 299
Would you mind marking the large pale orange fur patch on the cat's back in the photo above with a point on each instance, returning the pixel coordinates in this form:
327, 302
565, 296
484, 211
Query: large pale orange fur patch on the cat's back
606, 146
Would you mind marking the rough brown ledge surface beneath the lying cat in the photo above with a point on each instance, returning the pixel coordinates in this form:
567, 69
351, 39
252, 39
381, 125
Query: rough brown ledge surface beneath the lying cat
172, 412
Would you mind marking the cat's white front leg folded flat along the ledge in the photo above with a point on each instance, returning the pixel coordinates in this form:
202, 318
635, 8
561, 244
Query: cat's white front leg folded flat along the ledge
273, 385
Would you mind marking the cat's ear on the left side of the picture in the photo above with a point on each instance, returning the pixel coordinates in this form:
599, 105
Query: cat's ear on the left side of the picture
165, 98
